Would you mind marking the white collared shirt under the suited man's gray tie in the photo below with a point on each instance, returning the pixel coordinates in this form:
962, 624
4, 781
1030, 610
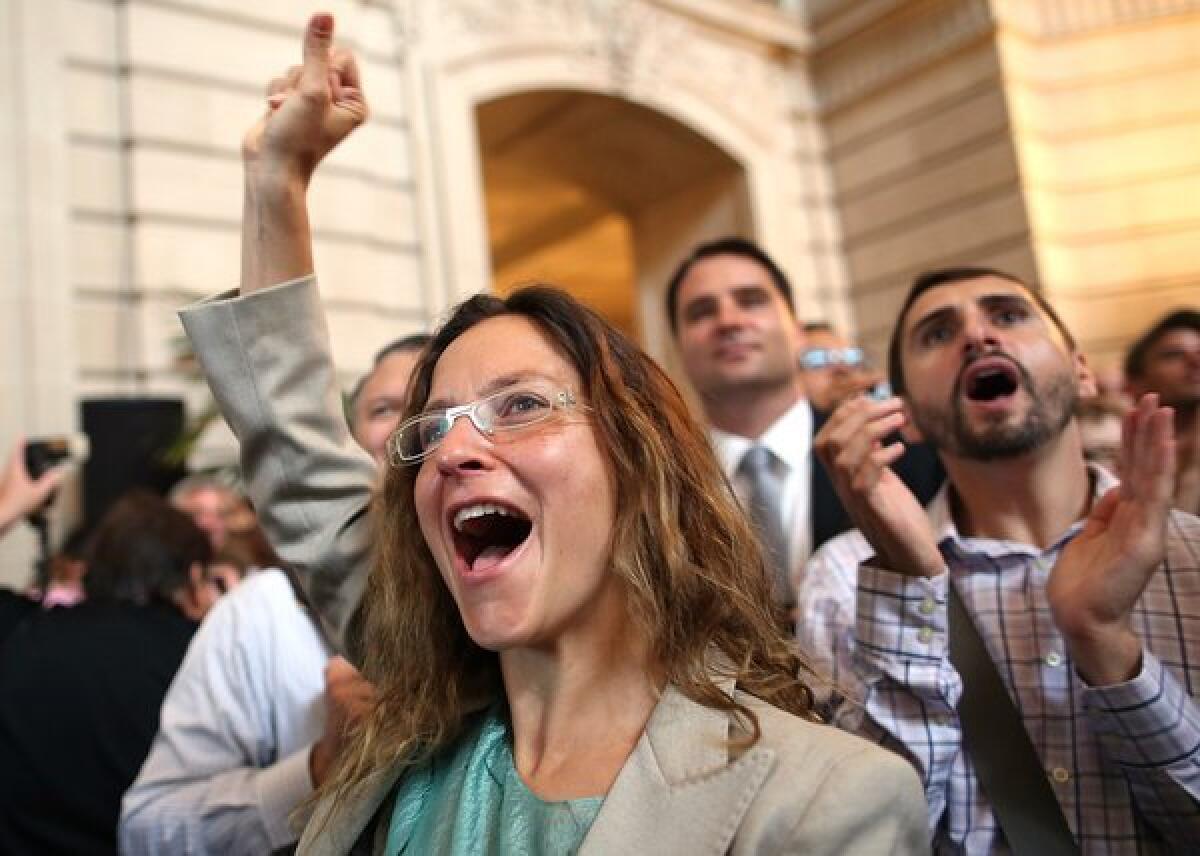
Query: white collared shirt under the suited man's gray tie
790, 439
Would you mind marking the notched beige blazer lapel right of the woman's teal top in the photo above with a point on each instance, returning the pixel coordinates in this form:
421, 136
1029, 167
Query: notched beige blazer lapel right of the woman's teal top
679, 794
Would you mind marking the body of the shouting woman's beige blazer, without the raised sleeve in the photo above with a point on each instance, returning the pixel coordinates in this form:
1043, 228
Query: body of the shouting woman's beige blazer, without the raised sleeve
802, 789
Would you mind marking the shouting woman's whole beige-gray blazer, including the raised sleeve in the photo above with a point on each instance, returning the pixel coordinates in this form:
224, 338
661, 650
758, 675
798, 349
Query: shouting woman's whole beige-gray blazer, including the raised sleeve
803, 788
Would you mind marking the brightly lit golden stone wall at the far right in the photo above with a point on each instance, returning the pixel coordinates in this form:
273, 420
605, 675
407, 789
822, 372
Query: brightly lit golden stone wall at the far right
1105, 98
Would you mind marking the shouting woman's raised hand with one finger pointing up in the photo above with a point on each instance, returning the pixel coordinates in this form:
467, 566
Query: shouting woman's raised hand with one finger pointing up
310, 110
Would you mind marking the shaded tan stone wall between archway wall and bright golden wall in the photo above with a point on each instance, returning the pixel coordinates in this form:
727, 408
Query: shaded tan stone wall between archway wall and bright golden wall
927, 172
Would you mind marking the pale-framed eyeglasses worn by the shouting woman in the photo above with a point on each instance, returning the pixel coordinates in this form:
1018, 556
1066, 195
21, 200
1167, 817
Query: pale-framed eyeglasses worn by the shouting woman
511, 410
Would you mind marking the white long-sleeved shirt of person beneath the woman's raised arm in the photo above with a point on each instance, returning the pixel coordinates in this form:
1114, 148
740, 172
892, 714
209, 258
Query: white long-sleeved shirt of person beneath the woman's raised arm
231, 759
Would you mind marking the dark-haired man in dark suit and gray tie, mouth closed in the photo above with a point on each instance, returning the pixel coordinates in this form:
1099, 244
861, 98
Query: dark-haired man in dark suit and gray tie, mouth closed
734, 318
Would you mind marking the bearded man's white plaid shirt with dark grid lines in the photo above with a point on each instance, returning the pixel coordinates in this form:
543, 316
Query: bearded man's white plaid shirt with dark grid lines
1124, 761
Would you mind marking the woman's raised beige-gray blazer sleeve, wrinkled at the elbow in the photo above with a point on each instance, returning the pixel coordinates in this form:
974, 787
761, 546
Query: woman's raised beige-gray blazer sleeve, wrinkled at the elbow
268, 362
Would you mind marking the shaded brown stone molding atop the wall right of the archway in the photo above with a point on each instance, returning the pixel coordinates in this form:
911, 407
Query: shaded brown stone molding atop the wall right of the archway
913, 35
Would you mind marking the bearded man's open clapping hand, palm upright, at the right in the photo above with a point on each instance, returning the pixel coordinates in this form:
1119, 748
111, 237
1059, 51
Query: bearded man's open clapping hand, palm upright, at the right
1102, 573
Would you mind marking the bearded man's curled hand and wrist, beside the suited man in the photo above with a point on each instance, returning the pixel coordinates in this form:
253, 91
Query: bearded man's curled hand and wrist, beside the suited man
860, 465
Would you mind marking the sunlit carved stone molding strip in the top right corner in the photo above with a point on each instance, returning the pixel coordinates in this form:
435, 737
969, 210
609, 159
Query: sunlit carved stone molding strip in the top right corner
1059, 19
